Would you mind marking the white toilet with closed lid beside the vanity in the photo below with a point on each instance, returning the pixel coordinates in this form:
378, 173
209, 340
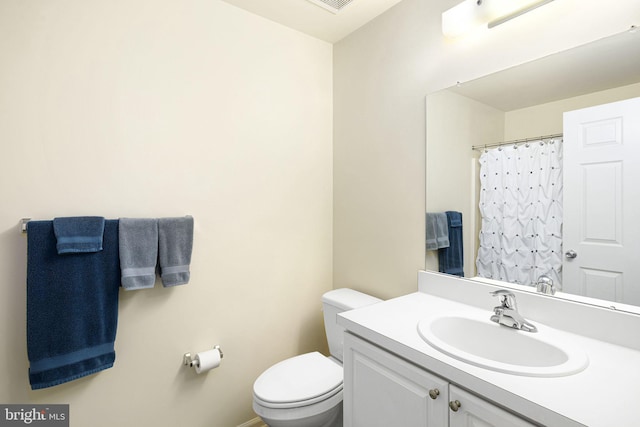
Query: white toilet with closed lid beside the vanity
306, 390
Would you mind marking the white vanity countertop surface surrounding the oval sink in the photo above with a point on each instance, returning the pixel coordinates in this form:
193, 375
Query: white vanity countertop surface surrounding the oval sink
605, 394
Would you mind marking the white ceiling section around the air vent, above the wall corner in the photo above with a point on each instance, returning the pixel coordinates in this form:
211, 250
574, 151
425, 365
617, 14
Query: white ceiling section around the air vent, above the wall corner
304, 16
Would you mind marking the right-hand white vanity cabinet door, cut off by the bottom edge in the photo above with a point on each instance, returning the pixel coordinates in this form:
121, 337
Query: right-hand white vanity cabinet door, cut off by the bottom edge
475, 412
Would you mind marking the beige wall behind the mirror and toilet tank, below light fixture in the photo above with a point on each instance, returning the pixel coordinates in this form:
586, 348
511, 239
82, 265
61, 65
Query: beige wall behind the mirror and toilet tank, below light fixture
382, 73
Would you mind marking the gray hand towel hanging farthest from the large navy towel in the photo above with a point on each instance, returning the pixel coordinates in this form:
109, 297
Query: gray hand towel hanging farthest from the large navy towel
175, 243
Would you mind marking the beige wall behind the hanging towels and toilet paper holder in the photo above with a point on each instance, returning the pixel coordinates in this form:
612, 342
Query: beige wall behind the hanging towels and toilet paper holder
158, 108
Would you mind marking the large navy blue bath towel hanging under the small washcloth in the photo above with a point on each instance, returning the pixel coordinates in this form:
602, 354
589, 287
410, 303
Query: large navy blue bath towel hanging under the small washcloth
72, 306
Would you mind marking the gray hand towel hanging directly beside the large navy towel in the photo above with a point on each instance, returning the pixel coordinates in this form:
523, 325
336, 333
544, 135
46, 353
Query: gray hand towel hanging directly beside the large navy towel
138, 252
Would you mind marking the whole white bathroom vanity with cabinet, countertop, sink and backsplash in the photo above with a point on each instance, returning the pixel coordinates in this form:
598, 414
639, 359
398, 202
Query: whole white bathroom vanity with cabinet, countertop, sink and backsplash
396, 374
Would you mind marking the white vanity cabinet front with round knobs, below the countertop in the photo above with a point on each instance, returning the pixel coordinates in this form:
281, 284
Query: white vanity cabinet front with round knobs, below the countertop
382, 390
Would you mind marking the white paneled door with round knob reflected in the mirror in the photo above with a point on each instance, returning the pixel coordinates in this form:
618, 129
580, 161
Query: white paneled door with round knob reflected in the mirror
601, 226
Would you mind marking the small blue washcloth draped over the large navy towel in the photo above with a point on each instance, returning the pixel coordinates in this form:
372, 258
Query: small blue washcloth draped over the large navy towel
78, 234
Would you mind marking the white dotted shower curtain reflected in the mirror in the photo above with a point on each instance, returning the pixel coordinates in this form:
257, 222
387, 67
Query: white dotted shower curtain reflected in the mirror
521, 209
